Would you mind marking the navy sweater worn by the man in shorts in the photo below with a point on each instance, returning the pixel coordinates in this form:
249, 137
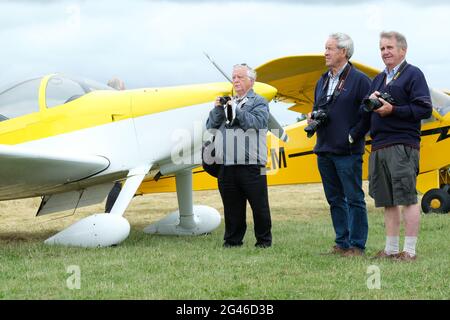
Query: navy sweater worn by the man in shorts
412, 104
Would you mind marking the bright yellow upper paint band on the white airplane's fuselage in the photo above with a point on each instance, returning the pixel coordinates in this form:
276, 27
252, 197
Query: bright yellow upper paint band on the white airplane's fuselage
105, 106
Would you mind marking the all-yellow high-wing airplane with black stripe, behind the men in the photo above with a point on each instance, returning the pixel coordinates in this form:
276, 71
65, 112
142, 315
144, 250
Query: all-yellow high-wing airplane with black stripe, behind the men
293, 162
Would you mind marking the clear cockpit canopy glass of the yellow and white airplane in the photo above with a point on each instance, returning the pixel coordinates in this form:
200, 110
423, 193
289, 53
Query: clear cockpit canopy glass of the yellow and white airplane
21, 98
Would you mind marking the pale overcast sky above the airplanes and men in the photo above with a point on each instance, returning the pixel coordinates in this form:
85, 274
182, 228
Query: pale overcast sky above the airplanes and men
161, 43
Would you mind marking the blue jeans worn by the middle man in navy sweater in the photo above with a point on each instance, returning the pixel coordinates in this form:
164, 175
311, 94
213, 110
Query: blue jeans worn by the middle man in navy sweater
342, 183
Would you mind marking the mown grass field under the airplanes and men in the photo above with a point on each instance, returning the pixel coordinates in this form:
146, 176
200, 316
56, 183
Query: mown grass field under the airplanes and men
162, 267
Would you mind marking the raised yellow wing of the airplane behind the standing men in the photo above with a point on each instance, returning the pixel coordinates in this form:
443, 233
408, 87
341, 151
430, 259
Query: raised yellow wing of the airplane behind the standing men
295, 78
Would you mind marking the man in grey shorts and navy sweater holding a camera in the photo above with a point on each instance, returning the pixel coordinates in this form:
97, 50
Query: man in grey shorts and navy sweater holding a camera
395, 132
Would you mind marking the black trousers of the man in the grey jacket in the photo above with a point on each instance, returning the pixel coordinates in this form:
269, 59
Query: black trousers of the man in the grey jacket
237, 184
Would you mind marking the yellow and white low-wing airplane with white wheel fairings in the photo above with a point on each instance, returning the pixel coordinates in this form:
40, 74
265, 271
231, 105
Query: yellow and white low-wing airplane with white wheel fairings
69, 139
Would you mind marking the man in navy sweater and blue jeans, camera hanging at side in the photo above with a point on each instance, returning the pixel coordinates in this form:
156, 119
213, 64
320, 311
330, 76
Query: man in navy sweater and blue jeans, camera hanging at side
339, 93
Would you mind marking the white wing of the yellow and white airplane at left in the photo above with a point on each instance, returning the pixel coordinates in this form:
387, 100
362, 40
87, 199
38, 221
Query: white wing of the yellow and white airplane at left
27, 173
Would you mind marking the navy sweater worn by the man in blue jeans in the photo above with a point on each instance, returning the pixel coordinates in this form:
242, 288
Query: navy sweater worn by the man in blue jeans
342, 114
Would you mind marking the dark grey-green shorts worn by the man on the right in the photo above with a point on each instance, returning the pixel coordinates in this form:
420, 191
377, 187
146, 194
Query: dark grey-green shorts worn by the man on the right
392, 176
